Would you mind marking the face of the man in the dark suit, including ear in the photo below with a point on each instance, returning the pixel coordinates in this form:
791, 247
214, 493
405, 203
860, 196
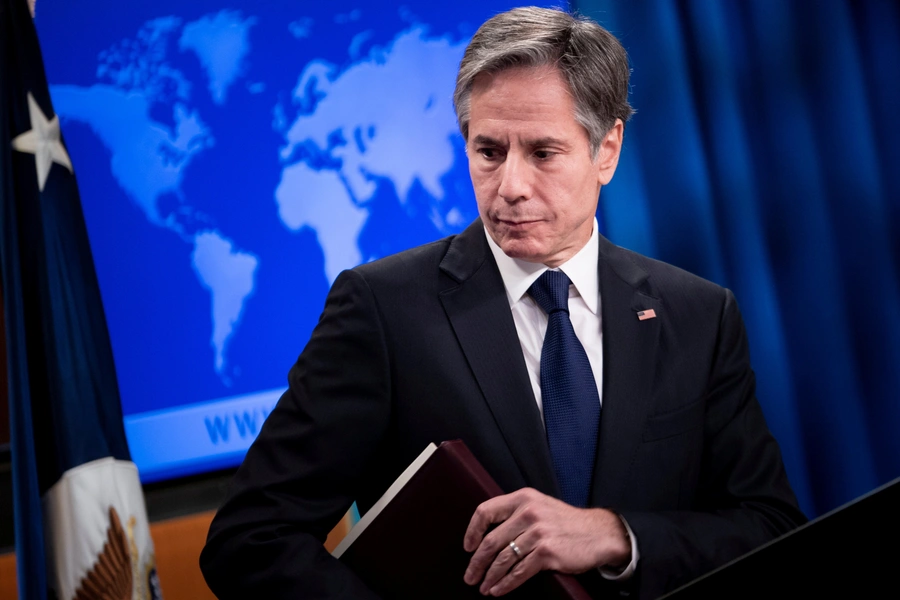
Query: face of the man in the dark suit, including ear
530, 162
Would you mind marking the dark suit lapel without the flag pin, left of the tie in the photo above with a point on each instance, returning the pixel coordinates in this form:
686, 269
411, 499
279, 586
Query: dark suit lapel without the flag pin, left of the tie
478, 309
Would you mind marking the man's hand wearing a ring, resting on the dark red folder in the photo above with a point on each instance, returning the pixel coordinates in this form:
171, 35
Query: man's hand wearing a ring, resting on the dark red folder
550, 535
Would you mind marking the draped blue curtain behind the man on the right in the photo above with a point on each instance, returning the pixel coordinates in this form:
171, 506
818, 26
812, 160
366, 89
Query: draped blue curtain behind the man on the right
765, 156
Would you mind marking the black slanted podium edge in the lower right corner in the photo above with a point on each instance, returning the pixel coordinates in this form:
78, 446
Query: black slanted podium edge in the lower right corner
851, 552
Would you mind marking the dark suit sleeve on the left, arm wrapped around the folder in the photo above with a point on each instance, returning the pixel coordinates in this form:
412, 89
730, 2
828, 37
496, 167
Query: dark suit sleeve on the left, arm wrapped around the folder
305, 468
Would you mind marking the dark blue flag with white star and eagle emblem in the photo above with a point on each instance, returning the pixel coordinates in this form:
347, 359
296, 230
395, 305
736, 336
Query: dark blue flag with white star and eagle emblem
81, 524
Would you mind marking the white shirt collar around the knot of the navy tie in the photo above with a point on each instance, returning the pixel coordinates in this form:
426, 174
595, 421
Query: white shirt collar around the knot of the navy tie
518, 275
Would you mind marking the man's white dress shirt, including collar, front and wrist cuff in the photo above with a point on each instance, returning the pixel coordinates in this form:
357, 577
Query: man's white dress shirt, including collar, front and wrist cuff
584, 312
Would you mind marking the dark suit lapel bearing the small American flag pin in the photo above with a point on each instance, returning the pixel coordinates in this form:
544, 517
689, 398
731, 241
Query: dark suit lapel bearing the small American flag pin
629, 362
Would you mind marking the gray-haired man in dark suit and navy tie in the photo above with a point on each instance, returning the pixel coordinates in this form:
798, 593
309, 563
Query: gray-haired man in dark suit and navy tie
461, 339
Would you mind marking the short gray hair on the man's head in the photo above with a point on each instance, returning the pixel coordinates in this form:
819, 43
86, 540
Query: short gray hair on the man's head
590, 59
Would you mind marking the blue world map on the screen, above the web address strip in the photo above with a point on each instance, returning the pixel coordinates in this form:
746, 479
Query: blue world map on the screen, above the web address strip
233, 161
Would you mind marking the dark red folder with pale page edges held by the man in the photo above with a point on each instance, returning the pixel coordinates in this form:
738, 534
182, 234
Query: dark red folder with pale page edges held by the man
413, 546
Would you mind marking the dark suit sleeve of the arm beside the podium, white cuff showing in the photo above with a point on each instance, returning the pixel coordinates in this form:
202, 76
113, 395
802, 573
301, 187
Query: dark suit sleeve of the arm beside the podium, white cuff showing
743, 499
